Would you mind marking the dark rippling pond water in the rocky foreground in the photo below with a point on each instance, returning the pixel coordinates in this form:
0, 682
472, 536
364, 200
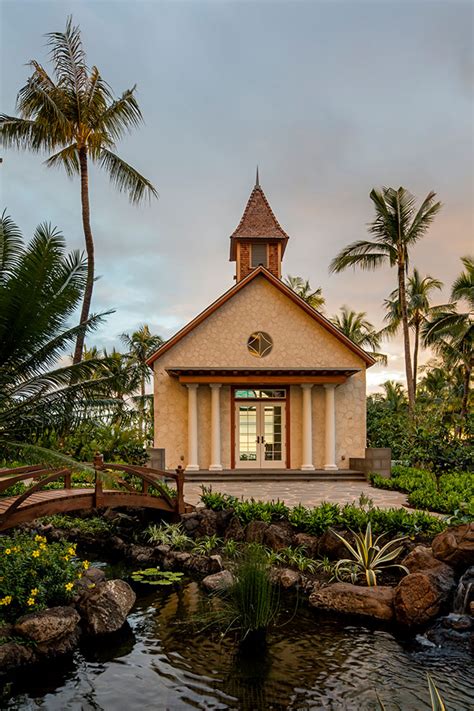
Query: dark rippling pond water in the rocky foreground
313, 662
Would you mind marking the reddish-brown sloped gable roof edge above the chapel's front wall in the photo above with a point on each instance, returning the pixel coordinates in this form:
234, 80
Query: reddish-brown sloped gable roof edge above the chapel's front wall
261, 271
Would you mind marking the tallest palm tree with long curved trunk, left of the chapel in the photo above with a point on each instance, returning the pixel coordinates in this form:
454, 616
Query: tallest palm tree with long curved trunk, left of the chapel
76, 116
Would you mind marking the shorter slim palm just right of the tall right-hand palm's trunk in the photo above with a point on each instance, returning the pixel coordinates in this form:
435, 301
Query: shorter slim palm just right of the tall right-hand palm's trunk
419, 309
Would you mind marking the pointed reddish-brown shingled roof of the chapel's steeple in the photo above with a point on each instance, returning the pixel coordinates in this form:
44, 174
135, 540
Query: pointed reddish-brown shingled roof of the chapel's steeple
257, 222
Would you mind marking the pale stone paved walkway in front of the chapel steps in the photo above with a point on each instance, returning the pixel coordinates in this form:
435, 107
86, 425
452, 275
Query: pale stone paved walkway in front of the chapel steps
309, 493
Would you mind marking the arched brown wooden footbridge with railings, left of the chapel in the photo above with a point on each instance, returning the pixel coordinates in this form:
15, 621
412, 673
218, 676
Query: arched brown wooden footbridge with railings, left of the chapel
37, 501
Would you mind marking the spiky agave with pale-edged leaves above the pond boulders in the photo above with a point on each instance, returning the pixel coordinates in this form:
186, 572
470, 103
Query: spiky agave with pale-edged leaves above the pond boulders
368, 557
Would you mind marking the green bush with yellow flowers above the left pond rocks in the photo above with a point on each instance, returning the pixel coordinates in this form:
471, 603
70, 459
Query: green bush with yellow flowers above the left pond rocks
35, 574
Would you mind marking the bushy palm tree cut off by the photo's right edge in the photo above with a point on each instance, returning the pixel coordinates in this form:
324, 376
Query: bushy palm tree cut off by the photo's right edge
451, 332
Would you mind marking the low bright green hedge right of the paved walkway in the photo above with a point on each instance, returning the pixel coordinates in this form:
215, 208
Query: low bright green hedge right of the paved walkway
449, 493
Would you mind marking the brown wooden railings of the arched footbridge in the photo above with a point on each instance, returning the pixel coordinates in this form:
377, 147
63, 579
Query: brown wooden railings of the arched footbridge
149, 477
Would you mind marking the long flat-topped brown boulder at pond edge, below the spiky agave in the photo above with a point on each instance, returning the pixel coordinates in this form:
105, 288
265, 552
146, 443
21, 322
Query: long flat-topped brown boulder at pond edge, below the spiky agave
375, 602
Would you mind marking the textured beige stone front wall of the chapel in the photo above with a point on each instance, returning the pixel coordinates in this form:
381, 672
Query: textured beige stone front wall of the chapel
221, 341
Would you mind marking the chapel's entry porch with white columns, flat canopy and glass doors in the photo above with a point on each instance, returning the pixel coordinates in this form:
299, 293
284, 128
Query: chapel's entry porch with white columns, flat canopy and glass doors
262, 417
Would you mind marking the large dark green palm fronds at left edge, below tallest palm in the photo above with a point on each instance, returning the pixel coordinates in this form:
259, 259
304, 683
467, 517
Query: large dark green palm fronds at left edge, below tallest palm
40, 288
